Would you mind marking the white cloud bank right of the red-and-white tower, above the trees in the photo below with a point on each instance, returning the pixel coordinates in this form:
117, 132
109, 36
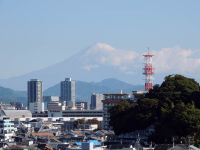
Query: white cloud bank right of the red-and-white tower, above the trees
177, 60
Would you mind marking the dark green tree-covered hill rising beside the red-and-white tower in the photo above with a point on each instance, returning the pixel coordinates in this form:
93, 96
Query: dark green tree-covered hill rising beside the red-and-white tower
173, 108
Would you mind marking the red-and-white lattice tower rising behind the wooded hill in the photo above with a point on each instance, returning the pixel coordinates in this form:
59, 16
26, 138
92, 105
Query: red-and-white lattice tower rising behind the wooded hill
148, 71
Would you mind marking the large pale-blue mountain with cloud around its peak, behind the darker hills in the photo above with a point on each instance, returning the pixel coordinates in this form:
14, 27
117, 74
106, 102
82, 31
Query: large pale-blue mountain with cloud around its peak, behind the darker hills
98, 62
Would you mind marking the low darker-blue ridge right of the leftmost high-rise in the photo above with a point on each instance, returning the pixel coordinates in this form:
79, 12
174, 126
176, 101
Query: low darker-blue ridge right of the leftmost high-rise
85, 89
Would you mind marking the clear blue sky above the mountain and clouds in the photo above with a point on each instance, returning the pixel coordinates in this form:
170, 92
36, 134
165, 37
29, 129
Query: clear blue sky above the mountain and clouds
35, 34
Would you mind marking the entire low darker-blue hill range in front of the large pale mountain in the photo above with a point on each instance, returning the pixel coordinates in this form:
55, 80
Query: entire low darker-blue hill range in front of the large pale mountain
83, 90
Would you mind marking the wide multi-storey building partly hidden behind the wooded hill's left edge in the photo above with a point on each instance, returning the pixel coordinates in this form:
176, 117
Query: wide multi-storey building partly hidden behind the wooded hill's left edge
109, 101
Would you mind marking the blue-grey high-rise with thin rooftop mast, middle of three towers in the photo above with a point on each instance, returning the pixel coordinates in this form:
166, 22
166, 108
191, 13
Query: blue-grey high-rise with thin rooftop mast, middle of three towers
67, 92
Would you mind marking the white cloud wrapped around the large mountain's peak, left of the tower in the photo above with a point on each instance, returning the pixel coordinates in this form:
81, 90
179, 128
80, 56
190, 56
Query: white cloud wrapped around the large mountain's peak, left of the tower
106, 55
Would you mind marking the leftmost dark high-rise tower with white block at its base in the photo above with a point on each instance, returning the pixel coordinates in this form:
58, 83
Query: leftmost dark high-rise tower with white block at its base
35, 101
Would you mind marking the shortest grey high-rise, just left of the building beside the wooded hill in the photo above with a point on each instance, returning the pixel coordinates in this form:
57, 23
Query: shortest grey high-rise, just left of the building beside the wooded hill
96, 101
